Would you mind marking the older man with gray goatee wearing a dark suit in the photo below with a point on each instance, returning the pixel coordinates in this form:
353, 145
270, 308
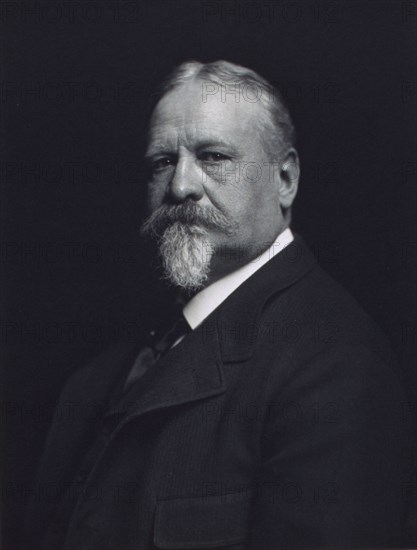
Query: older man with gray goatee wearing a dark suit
271, 418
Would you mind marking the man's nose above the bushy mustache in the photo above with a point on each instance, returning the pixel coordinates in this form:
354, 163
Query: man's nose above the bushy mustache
186, 182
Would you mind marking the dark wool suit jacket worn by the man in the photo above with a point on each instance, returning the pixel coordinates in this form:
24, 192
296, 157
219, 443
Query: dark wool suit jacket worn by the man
275, 424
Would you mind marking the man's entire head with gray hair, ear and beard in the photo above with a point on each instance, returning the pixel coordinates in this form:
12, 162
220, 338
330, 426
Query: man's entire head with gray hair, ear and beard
223, 171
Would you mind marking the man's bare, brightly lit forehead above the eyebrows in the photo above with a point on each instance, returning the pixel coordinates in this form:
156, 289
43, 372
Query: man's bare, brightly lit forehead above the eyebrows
186, 114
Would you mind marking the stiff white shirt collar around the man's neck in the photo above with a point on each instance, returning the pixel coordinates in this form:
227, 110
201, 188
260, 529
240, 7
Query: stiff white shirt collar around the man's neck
208, 299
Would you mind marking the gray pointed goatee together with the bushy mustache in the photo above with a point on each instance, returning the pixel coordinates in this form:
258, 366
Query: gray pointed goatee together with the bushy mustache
184, 244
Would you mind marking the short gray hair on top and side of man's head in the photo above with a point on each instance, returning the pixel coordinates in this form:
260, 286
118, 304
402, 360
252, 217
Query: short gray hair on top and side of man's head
222, 73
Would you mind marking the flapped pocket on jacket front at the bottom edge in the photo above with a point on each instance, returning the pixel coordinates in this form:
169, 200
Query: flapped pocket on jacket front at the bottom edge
202, 522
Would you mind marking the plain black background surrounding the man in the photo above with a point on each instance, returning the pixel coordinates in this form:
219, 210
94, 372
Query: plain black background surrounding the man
75, 88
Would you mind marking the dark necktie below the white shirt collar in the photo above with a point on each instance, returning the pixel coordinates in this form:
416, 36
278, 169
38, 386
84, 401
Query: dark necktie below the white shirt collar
157, 348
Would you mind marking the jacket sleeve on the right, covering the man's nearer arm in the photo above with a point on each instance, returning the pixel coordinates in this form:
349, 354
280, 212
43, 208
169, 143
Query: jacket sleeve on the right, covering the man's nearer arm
334, 456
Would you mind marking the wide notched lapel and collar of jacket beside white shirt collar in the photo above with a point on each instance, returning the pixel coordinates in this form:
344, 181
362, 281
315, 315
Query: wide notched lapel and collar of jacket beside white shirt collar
193, 369
